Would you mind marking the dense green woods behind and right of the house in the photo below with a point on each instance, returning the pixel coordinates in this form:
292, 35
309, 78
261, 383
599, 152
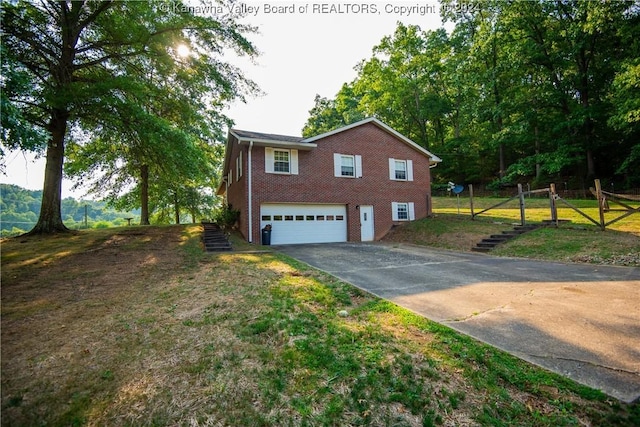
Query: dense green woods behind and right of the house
516, 91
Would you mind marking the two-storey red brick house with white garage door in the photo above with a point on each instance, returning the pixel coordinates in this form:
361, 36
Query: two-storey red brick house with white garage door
351, 184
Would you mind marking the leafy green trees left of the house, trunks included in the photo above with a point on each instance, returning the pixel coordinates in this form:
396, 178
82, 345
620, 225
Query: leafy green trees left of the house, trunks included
104, 82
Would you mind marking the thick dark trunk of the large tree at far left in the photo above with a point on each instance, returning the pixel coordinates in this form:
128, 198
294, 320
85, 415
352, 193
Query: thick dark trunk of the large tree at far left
50, 220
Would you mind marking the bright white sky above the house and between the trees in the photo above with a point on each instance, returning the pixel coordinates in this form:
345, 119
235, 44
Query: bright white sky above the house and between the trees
306, 48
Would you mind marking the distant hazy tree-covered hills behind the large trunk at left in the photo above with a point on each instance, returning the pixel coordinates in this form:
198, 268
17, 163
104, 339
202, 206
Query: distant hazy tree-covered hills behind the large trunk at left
20, 208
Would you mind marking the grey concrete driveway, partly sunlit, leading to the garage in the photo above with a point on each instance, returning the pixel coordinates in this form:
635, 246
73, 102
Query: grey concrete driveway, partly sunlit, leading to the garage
581, 321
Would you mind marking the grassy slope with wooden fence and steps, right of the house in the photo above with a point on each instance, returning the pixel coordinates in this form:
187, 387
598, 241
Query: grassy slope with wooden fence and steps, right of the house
576, 240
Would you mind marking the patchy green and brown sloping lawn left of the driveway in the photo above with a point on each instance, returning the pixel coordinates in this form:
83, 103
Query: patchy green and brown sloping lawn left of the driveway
137, 326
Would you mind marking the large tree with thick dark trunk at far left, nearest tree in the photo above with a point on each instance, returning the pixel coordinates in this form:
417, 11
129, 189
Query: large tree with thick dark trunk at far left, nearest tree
82, 60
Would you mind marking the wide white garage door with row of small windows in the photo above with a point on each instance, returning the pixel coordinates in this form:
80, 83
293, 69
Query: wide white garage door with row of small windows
305, 223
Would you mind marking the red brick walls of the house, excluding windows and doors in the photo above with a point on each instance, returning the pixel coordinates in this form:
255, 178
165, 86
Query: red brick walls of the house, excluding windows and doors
315, 182
